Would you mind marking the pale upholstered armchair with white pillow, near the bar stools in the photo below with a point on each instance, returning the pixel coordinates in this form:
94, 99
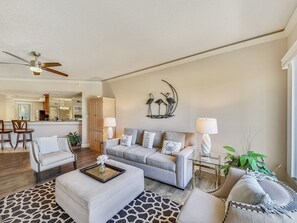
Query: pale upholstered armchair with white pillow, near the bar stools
50, 152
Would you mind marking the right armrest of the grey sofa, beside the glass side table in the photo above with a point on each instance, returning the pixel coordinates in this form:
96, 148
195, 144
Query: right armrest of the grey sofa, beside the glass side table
184, 166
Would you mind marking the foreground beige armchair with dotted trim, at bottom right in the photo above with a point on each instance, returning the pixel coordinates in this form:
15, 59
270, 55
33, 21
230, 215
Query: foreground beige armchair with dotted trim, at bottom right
203, 207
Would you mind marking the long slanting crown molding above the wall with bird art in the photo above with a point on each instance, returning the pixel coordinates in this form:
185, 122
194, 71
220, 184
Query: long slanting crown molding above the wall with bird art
213, 52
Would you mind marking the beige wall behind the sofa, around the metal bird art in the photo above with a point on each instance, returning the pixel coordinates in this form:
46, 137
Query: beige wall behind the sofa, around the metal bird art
244, 89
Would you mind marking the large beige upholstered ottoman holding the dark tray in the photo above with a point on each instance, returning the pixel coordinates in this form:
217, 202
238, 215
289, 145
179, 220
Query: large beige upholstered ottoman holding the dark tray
88, 200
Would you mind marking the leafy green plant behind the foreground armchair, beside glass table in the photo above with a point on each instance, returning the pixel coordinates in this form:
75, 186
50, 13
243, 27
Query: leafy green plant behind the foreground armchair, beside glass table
251, 160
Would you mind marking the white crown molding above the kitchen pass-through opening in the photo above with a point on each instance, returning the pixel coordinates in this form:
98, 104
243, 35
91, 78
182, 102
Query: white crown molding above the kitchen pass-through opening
49, 80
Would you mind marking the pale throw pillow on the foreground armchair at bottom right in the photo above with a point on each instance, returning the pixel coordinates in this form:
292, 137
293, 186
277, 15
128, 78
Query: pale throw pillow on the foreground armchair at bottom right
247, 190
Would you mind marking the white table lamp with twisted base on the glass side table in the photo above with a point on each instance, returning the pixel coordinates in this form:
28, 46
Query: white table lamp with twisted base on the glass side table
206, 126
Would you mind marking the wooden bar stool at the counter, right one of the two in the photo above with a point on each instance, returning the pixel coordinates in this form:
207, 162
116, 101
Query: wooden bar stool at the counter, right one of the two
20, 127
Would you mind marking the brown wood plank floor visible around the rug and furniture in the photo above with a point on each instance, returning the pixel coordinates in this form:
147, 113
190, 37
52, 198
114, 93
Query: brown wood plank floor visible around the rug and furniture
16, 175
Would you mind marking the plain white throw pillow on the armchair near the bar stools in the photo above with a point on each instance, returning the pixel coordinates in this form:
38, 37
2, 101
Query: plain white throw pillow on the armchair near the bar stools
47, 144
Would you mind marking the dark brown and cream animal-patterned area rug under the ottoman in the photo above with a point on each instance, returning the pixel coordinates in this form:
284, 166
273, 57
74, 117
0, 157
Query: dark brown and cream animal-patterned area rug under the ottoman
38, 205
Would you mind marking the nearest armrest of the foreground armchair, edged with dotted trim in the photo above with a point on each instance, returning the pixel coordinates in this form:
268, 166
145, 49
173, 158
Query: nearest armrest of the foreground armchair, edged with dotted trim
241, 212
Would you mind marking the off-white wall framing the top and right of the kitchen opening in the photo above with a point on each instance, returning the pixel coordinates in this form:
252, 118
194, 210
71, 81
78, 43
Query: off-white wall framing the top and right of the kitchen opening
88, 89
